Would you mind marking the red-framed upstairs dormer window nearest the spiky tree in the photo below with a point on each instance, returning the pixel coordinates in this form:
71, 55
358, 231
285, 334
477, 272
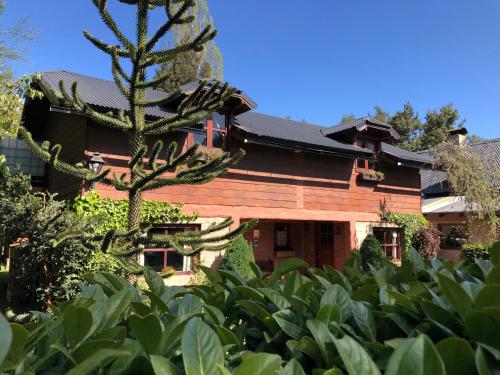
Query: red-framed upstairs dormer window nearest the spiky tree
212, 134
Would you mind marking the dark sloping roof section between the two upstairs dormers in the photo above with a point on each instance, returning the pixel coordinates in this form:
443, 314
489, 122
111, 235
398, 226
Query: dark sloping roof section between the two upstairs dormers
280, 130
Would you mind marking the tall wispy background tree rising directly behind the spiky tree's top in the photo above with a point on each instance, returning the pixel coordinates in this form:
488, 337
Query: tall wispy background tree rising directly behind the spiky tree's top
190, 66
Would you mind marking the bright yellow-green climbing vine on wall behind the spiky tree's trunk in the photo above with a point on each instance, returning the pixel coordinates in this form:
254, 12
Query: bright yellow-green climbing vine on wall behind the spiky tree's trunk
112, 214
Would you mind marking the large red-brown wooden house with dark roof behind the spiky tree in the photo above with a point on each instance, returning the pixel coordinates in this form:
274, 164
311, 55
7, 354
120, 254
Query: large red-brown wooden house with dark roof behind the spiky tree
316, 190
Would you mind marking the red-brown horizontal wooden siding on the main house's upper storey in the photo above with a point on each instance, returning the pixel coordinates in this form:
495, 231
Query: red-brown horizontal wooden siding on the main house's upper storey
279, 179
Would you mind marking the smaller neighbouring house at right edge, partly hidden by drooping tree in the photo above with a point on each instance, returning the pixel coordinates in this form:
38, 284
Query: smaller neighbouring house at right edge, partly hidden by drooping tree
448, 212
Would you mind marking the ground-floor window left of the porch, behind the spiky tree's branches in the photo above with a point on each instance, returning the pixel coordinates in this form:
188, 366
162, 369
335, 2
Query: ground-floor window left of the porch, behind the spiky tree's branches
158, 259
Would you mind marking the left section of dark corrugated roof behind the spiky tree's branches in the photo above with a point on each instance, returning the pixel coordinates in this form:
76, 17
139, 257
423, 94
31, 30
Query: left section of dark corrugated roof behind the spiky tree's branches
105, 94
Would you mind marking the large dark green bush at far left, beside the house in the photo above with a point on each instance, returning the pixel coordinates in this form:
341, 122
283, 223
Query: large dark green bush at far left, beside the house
49, 264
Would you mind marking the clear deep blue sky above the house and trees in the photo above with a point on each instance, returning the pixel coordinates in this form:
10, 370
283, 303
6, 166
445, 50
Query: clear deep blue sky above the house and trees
320, 59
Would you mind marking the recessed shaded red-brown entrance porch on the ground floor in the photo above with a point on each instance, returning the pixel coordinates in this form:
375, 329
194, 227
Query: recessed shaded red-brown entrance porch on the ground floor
317, 242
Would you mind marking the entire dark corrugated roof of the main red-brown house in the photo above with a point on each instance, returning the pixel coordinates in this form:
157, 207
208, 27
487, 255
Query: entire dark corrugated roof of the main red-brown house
105, 95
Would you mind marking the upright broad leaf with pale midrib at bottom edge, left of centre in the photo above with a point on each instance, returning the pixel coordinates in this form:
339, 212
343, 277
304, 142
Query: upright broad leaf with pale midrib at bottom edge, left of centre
201, 349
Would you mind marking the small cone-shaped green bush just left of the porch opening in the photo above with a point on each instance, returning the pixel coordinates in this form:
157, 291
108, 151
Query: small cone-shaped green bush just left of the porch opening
238, 257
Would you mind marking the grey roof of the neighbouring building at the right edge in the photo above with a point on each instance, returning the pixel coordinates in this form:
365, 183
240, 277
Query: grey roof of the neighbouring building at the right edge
435, 182
